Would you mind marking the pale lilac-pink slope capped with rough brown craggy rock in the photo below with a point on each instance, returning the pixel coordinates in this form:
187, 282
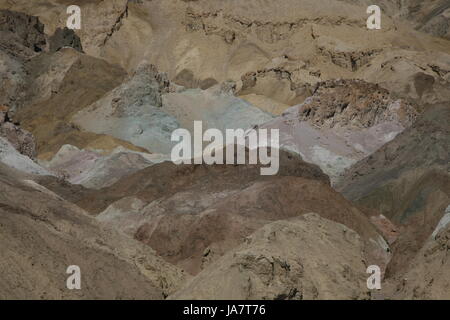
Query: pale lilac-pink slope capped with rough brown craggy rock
341, 123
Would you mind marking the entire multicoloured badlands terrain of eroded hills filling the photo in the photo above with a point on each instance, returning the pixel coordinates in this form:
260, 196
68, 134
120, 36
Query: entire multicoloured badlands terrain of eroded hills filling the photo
86, 177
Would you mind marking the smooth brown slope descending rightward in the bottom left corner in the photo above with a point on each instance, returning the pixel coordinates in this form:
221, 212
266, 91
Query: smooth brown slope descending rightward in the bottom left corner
41, 235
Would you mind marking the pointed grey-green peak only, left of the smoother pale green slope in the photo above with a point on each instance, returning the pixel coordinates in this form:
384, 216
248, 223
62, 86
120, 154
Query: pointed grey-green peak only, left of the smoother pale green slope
132, 112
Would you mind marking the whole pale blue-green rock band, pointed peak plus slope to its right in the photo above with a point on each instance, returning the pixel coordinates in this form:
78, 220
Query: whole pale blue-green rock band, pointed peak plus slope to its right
144, 112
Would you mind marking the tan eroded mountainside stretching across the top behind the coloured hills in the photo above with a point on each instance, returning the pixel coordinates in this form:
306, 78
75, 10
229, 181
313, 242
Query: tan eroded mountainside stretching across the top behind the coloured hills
284, 48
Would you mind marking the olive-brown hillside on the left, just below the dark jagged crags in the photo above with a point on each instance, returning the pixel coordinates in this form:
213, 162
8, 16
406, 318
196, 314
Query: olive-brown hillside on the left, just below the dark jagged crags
63, 83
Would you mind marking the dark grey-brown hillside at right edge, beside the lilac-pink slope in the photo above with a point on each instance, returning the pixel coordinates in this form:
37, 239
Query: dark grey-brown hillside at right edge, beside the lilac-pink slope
407, 181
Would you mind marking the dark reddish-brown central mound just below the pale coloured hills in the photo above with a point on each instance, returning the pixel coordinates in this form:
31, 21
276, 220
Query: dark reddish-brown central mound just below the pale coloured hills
193, 214
